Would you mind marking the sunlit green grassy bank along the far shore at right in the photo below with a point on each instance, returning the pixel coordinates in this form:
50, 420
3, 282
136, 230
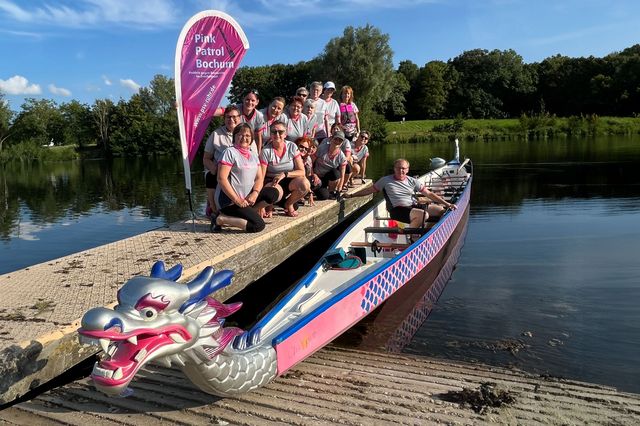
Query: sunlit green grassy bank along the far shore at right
525, 127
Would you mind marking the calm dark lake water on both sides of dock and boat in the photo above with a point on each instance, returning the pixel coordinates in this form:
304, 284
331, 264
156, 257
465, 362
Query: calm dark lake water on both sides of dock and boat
548, 280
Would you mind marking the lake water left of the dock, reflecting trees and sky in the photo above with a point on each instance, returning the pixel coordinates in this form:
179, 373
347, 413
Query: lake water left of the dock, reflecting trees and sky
53, 209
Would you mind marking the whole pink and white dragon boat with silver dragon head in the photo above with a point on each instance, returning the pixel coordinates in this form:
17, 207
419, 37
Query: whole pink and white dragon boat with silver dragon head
160, 320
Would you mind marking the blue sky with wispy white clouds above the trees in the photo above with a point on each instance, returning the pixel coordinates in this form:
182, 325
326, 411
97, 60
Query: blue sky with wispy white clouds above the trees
89, 49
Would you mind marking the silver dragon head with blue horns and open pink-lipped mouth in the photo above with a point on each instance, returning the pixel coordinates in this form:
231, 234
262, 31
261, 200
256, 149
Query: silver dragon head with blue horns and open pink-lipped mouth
157, 319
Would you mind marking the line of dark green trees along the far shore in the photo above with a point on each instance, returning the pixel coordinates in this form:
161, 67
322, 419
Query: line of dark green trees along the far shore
476, 84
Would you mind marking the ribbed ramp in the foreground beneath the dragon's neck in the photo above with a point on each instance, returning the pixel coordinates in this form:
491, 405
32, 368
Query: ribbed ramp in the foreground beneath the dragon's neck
339, 386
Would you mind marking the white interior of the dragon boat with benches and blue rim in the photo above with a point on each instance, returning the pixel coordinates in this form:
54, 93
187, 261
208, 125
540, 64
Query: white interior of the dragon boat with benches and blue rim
371, 241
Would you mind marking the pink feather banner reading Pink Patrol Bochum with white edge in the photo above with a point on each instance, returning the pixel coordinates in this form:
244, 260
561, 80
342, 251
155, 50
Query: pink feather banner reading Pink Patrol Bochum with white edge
209, 51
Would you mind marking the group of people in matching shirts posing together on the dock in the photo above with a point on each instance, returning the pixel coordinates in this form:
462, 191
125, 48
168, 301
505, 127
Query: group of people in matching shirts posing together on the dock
278, 155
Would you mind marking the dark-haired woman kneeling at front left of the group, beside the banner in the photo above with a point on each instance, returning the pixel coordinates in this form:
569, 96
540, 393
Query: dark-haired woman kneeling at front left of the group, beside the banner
240, 194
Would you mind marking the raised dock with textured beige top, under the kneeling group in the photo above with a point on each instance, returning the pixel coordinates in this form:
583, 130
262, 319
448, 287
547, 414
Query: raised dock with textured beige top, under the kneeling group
40, 306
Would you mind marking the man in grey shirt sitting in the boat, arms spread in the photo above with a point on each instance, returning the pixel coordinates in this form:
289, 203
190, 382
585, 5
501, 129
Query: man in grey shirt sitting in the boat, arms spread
400, 190
